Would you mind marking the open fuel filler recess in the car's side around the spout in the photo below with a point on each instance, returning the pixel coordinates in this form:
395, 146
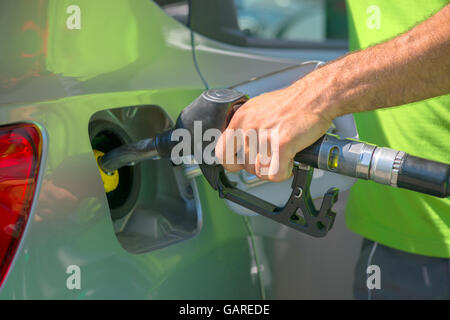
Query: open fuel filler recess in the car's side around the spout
155, 204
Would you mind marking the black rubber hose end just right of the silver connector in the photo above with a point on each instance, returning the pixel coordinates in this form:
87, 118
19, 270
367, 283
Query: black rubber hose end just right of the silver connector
425, 176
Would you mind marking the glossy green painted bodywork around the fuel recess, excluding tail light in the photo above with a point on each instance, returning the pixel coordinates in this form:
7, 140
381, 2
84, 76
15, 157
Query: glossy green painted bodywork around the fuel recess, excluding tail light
125, 53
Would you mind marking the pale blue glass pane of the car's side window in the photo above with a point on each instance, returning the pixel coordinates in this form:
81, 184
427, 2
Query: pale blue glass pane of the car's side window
307, 20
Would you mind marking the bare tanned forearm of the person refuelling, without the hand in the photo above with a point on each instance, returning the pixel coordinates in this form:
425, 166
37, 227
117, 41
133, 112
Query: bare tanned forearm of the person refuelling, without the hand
411, 67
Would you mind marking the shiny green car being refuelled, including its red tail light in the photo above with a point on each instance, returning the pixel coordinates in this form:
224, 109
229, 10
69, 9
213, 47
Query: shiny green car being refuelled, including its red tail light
84, 75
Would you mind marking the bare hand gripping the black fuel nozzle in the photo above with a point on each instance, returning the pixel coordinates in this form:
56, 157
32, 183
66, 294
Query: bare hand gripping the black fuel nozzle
295, 113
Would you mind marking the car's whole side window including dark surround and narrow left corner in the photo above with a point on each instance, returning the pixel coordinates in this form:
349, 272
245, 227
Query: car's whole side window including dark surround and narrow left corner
319, 24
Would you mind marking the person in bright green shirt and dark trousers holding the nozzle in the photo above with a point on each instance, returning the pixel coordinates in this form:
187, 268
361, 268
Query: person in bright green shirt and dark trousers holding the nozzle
398, 86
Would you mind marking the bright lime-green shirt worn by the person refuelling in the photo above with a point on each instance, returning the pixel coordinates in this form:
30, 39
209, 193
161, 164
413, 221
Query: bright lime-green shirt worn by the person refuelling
398, 218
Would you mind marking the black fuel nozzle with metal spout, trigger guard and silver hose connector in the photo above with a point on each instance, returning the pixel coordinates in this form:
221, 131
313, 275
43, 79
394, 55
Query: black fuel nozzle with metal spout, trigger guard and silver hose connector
348, 157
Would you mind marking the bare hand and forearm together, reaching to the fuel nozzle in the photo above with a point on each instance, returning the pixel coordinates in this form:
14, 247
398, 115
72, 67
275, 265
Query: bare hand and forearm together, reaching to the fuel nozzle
411, 67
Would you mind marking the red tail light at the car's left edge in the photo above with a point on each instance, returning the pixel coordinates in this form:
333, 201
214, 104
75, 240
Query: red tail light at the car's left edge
20, 150
